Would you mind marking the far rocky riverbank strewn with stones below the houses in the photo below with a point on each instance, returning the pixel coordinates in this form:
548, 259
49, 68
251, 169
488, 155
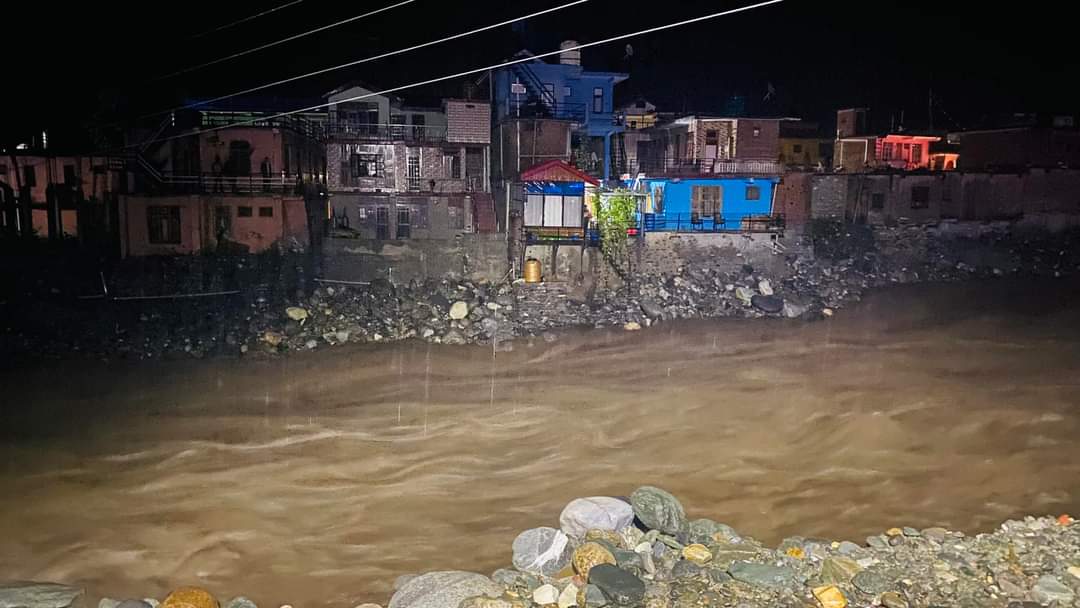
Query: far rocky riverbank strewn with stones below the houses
848, 262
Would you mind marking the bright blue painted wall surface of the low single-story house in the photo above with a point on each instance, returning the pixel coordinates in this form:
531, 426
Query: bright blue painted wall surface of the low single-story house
679, 195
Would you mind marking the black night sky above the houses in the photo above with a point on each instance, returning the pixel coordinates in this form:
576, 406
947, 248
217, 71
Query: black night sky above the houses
90, 62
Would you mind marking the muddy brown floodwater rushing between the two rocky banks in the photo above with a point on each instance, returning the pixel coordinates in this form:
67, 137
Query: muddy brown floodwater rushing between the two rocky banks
317, 480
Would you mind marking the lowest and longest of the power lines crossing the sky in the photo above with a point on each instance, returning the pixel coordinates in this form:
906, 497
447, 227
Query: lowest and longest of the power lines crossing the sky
476, 71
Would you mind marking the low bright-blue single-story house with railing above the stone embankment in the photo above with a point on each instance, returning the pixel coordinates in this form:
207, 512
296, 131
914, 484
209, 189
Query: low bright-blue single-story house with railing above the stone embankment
710, 205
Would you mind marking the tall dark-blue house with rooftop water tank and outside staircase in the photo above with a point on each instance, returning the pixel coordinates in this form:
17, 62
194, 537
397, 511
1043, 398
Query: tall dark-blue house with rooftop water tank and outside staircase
564, 91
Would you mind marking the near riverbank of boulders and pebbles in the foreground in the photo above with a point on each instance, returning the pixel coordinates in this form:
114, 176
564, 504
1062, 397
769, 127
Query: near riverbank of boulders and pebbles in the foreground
643, 551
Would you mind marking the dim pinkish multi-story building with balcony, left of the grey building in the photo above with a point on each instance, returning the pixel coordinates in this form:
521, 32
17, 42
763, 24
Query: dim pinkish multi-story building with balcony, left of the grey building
222, 181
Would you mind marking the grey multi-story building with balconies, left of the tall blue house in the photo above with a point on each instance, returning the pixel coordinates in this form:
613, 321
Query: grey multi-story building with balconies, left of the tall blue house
400, 172
